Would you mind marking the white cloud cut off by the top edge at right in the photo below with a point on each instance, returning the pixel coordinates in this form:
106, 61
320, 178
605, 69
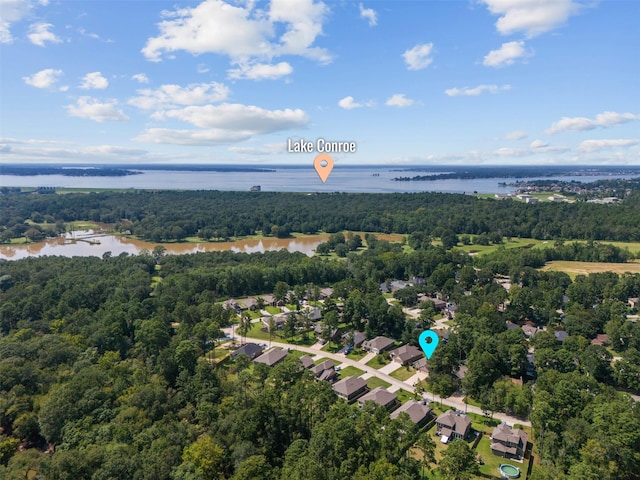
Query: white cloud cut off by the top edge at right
532, 17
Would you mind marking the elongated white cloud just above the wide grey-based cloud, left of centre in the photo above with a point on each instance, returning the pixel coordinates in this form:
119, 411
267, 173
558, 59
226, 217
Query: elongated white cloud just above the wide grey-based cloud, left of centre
169, 96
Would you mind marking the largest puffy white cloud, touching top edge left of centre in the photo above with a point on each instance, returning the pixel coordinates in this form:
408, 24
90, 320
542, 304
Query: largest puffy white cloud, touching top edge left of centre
242, 32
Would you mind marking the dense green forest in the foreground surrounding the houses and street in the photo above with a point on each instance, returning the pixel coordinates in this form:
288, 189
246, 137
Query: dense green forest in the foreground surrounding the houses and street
105, 372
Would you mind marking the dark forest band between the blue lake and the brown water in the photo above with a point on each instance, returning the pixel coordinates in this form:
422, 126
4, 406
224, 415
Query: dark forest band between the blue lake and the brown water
213, 215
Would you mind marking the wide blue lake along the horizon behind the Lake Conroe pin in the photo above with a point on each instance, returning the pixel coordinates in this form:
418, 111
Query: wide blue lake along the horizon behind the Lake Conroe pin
342, 179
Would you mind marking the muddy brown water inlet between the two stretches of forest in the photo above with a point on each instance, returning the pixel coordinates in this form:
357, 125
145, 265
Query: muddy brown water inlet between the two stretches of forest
86, 243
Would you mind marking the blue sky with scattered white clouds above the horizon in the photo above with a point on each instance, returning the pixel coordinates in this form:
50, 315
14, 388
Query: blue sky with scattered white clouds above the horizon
468, 82
